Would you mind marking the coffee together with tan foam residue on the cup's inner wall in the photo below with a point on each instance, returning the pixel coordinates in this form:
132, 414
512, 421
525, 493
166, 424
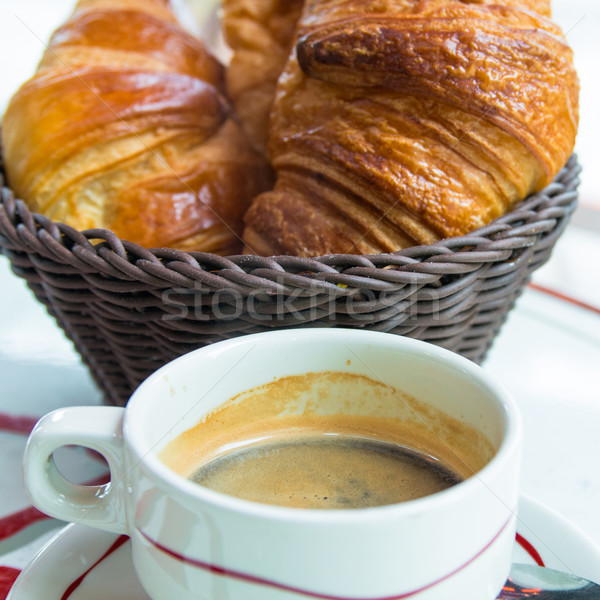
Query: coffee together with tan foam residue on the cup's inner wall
327, 440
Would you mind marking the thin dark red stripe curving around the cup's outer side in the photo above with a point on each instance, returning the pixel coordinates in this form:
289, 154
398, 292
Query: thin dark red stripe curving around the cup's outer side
225, 572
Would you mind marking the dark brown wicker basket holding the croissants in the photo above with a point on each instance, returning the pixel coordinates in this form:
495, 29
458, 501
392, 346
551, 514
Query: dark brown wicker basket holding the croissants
129, 310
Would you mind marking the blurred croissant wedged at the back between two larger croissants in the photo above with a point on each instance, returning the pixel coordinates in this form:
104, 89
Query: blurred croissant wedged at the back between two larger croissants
261, 34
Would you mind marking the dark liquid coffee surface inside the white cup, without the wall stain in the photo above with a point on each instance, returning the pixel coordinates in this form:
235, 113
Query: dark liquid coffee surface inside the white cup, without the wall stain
325, 471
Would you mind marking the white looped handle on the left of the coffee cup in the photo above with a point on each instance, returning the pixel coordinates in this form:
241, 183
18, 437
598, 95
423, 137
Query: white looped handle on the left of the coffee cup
97, 427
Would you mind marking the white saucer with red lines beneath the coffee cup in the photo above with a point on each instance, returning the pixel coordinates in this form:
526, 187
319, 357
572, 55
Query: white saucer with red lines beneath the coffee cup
81, 563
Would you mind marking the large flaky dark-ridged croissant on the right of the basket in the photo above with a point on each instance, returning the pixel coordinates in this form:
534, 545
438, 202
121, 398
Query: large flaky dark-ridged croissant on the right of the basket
403, 122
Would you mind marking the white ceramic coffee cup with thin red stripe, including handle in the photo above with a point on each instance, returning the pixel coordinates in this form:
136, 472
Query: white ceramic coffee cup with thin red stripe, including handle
190, 542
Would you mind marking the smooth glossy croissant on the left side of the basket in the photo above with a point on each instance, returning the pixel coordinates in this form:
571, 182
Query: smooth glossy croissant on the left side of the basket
125, 126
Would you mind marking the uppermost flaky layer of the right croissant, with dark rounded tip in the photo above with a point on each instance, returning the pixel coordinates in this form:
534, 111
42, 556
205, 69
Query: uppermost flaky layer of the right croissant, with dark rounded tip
503, 64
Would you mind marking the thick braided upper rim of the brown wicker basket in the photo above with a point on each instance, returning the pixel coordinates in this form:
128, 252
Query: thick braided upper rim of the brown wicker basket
535, 216
